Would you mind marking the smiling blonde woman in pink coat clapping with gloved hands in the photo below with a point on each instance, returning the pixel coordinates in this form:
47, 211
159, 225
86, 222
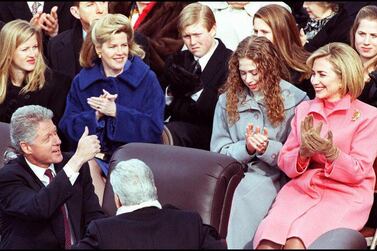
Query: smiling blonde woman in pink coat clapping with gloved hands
328, 155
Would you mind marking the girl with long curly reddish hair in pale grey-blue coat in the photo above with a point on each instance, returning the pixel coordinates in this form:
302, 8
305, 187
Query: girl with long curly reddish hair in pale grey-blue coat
251, 123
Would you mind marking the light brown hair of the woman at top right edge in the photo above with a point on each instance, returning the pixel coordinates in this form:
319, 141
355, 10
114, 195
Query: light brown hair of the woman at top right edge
366, 13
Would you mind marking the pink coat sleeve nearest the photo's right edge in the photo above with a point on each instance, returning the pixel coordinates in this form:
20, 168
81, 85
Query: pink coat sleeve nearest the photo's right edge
355, 166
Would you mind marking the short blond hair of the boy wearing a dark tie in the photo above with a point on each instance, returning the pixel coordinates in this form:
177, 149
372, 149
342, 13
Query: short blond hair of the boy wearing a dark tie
194, 13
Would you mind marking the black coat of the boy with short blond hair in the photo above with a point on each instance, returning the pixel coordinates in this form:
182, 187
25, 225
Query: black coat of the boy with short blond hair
191, 121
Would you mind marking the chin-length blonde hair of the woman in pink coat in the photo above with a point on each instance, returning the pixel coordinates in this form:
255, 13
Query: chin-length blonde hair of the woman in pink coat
347, 65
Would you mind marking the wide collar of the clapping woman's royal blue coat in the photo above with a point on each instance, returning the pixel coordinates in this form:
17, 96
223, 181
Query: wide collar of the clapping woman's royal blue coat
134, 72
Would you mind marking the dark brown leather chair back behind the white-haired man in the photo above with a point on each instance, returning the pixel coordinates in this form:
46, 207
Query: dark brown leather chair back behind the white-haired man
187, 178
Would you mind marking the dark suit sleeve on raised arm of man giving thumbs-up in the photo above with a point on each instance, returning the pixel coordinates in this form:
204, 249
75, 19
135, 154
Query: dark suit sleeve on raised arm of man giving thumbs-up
22, 201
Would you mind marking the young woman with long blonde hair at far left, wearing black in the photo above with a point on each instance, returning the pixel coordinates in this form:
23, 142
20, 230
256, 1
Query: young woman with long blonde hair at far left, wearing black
24, 76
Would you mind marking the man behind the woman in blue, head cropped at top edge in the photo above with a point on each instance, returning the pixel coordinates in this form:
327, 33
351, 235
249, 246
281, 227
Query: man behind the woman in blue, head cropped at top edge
63, 50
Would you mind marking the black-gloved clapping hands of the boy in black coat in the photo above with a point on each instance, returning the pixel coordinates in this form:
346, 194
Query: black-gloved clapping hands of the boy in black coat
181, 81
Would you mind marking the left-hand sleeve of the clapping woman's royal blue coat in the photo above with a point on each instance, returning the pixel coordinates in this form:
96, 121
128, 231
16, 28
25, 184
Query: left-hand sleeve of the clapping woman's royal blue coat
76, 116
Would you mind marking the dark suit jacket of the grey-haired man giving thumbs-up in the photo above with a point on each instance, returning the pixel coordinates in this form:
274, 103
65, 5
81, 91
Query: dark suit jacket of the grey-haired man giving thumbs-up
31, 215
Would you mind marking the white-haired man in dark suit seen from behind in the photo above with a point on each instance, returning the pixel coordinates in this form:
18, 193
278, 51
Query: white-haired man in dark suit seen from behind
141, 222
